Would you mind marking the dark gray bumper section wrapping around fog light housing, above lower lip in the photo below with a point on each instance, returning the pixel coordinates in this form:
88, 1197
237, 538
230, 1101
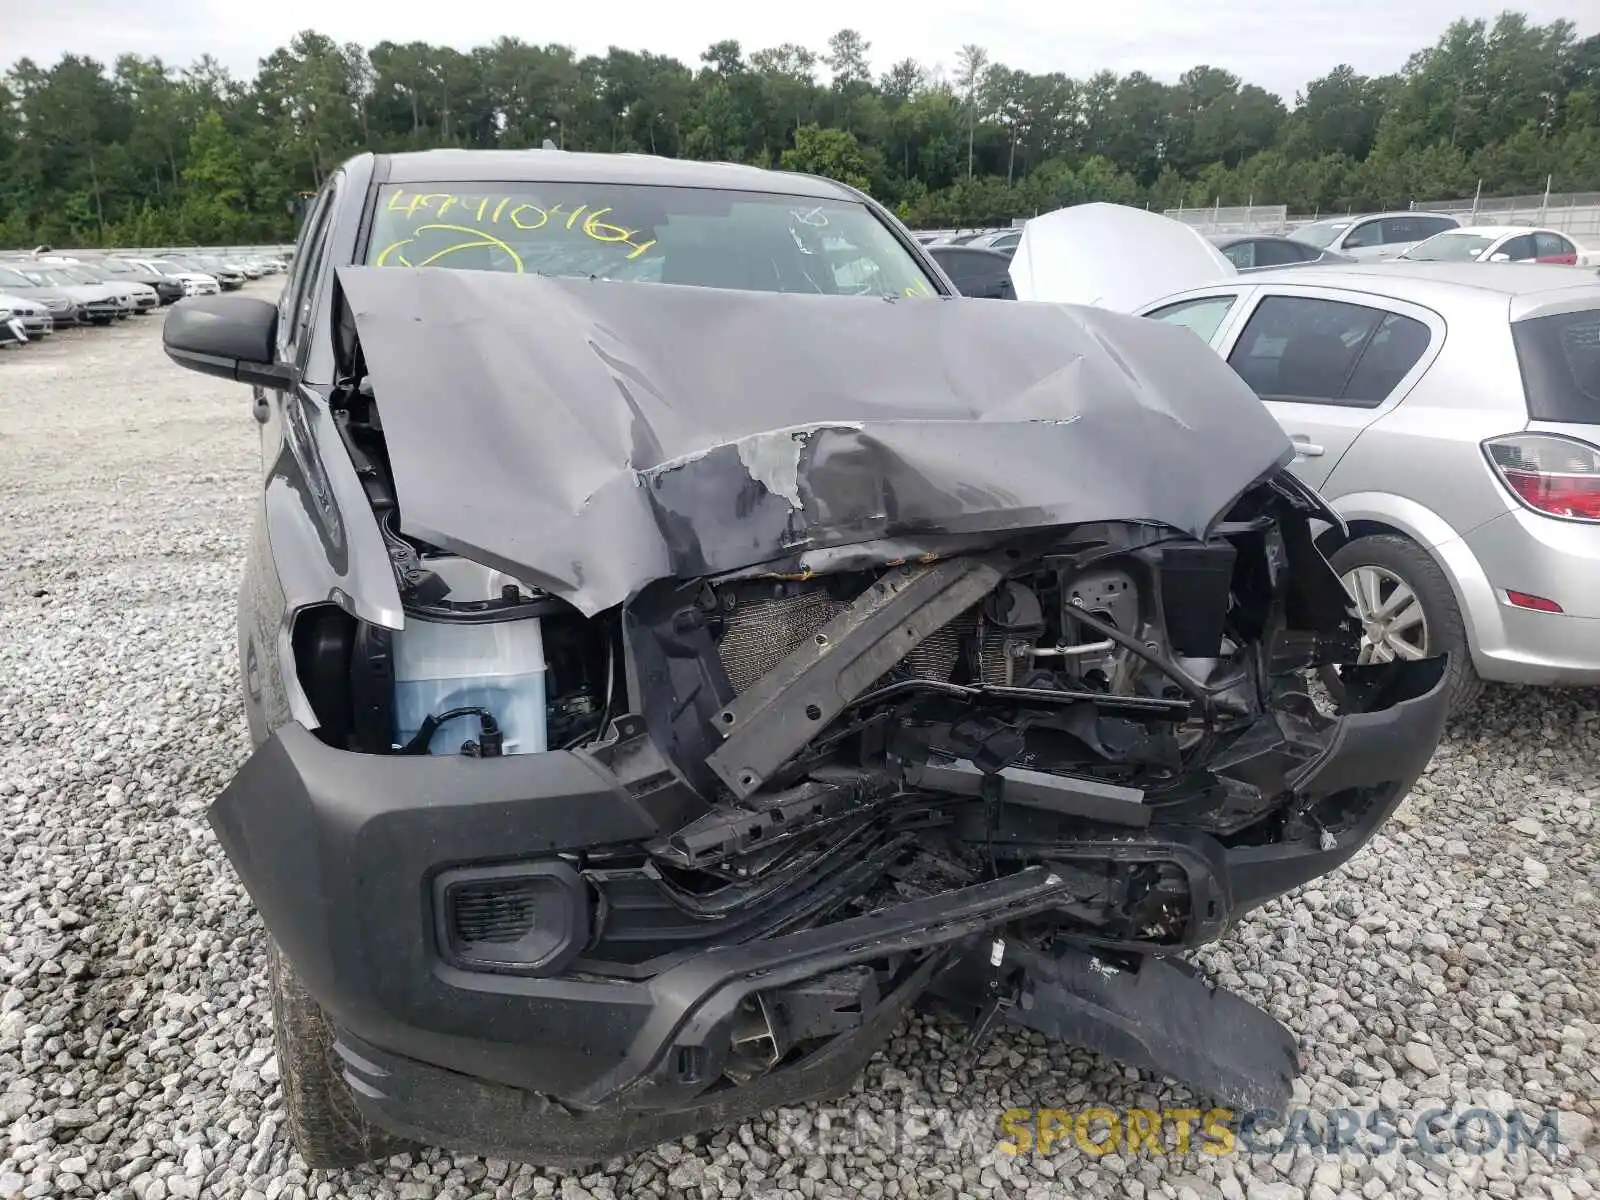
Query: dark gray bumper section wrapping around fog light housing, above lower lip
340, 850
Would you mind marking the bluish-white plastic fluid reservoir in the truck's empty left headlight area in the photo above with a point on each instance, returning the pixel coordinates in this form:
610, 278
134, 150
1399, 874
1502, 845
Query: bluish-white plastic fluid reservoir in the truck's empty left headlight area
450, 665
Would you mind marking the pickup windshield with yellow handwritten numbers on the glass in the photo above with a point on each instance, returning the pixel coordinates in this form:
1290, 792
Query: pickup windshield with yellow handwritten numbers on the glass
697, 236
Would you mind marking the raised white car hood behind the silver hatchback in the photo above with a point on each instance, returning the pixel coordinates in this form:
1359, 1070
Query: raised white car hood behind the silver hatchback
1113, 257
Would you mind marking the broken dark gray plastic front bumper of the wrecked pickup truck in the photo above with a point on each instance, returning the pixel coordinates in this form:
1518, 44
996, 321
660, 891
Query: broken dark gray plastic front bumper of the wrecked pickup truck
342, 855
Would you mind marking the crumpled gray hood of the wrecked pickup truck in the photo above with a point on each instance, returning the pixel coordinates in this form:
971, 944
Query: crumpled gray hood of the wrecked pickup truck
593, 438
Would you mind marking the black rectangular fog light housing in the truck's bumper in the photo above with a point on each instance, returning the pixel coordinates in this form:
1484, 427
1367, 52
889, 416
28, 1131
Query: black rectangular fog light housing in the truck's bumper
518, 918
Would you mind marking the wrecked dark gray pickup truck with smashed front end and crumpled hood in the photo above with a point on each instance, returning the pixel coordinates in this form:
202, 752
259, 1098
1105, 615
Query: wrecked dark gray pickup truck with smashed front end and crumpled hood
679, 634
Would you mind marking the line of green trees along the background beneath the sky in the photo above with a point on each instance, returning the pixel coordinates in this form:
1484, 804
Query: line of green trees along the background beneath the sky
143, 153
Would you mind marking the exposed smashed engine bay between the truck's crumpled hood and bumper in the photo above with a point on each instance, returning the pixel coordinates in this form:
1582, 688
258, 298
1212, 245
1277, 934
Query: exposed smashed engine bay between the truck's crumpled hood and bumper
828, 742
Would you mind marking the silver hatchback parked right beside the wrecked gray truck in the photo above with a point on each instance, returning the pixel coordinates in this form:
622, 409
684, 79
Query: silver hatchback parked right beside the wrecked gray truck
1452, 415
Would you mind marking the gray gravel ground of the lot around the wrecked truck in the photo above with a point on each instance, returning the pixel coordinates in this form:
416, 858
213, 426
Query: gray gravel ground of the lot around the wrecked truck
1454, 964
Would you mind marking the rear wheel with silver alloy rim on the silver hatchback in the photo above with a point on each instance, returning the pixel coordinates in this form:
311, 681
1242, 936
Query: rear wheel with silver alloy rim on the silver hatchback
1393, 562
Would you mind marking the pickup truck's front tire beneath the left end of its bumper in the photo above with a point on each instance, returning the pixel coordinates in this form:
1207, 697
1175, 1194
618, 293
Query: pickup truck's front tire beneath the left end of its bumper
327, 1127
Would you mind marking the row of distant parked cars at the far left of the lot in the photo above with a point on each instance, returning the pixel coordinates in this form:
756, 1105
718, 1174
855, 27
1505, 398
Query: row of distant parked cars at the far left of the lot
42, 292
